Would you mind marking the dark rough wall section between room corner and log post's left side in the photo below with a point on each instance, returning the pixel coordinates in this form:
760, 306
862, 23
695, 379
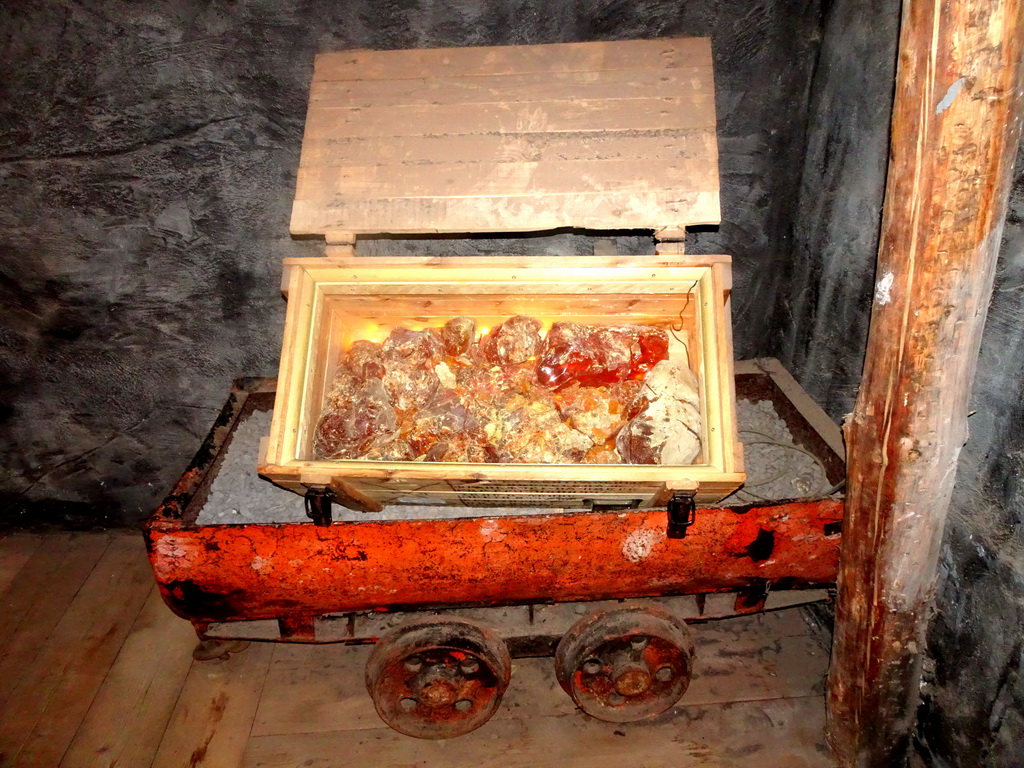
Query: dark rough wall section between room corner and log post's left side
824, 318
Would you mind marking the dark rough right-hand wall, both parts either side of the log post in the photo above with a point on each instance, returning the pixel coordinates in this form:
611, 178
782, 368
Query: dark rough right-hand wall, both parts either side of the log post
972, 712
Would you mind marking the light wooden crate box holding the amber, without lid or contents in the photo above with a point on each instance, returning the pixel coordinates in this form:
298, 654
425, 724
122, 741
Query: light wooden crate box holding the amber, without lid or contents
331, 304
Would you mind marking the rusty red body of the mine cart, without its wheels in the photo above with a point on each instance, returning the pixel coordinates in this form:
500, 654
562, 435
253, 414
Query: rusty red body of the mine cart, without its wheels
293, 575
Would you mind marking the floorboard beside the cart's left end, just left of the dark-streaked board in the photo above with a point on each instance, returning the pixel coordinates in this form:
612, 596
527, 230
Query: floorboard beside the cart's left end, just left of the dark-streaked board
129, 717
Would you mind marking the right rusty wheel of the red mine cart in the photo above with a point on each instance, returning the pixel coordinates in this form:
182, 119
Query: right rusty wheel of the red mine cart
626, 665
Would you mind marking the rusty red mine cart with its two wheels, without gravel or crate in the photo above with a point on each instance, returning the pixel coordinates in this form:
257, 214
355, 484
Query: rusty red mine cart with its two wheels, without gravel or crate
506, 584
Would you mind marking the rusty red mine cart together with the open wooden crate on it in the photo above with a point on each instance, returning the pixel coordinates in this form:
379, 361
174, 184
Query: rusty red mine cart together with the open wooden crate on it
476, 458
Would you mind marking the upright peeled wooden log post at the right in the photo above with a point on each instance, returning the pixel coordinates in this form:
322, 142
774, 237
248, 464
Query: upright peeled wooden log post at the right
955, 135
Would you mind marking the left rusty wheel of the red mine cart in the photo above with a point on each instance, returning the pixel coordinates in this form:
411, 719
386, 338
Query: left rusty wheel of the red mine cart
438, 678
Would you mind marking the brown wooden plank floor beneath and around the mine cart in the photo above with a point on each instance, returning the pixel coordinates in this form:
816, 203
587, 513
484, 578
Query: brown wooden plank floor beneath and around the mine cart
97, 672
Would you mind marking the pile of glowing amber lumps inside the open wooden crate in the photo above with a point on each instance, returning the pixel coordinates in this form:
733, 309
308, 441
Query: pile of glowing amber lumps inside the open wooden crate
586, 395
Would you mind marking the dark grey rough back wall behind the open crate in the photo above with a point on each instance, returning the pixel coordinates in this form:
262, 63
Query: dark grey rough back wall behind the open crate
148, 155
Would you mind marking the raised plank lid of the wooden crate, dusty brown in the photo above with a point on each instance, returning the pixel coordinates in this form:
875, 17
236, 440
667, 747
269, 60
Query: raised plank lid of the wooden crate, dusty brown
603, 136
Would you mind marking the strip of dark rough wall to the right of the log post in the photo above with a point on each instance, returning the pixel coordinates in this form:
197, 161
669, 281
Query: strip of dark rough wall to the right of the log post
973, 711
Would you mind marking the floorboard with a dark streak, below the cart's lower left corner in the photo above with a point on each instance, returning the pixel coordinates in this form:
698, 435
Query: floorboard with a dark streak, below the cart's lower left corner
215, 714
